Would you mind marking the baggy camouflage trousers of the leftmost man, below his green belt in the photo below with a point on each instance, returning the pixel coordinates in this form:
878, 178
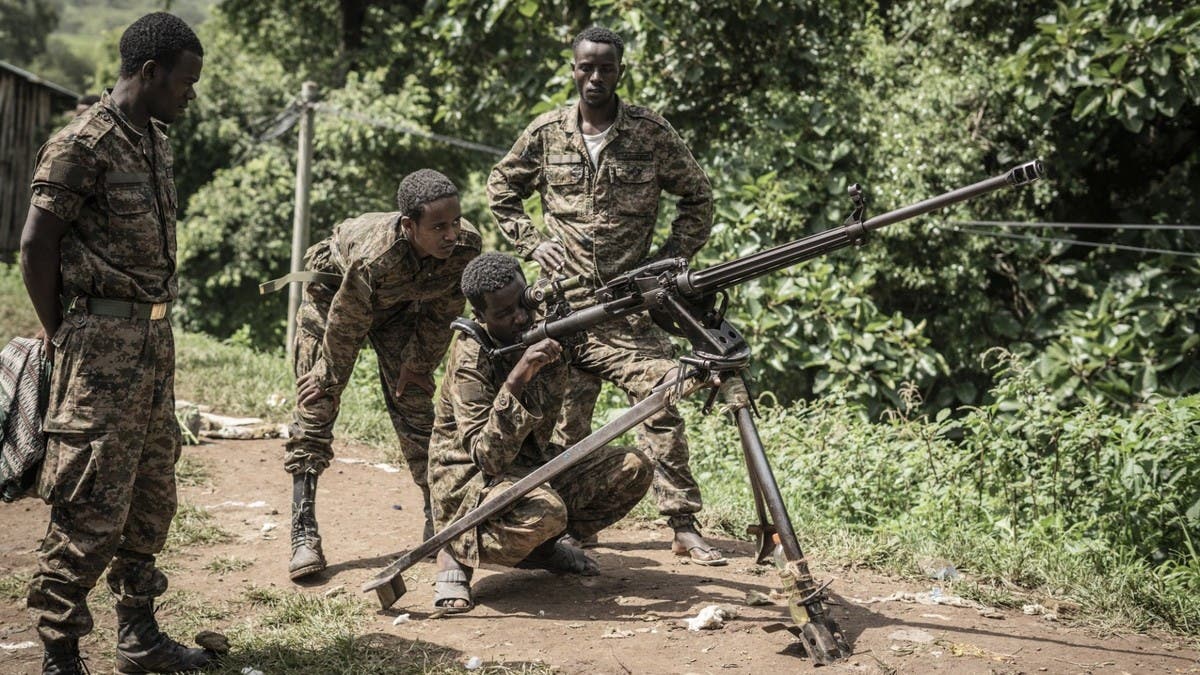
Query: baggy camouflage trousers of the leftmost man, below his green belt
110, 471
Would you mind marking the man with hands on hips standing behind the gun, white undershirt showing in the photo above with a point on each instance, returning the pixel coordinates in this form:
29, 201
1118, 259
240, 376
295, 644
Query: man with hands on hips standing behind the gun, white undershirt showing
601, 168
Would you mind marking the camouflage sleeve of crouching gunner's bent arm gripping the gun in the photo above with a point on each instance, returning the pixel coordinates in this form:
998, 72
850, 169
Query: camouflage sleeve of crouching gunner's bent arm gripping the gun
494, 423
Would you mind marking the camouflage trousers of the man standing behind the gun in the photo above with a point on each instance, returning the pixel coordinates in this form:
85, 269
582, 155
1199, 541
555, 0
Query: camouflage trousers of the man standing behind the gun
634, 355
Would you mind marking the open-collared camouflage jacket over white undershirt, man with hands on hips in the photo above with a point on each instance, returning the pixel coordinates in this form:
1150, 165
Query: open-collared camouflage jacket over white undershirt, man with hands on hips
603, 216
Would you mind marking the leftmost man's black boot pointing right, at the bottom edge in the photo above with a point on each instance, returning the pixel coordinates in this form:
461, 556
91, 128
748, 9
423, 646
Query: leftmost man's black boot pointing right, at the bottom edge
142, 648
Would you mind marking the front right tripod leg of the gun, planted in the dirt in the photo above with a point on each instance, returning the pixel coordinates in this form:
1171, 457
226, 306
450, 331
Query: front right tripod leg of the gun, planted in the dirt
819, 634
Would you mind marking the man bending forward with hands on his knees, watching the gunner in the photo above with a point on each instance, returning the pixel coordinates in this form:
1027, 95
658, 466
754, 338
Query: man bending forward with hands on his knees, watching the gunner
399, 289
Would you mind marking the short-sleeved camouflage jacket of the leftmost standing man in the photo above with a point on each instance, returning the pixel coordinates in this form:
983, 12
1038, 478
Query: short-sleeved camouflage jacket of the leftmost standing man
113, 184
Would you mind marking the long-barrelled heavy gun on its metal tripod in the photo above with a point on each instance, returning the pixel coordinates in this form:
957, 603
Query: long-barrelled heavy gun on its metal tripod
692, 304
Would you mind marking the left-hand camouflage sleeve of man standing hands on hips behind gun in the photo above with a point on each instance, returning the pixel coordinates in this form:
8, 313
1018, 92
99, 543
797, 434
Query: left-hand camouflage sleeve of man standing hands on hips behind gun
512, 182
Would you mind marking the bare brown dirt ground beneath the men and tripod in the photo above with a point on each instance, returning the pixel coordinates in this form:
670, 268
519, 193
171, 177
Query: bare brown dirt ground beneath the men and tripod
626, 620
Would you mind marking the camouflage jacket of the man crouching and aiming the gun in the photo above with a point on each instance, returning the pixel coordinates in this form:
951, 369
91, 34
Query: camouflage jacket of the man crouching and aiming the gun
484, 435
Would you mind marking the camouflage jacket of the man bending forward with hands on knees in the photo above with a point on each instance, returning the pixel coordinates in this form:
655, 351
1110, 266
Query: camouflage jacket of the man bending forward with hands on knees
381, 278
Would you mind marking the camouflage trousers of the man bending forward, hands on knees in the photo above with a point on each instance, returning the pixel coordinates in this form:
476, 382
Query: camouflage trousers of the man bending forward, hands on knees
310, 446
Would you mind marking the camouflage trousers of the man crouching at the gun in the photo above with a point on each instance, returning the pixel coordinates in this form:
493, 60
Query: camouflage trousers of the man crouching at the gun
583, 500
